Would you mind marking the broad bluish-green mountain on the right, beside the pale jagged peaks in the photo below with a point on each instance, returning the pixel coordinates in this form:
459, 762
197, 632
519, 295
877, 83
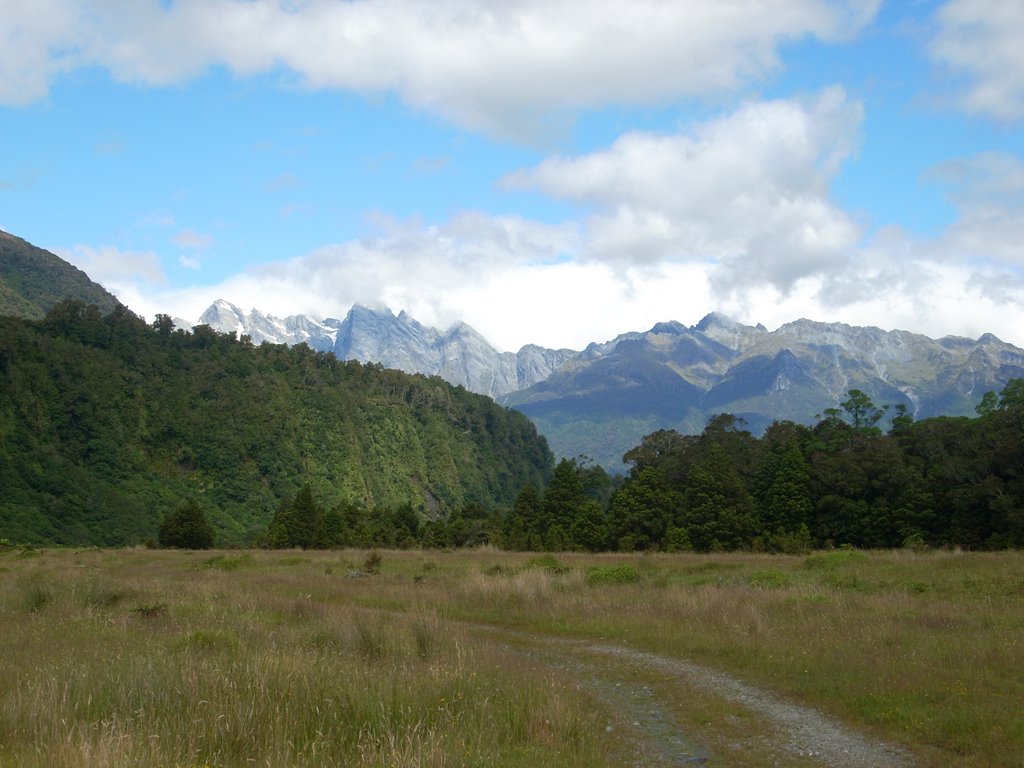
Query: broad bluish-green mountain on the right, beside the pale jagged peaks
676, 377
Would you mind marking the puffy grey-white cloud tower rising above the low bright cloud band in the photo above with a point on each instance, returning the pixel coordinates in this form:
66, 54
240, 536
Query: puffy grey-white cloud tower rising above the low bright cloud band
748, 192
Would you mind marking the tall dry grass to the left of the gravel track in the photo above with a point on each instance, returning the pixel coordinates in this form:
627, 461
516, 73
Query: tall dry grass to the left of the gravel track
169, 660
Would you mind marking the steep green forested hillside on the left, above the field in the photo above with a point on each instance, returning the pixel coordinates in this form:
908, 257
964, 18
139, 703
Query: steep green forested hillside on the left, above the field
107, 424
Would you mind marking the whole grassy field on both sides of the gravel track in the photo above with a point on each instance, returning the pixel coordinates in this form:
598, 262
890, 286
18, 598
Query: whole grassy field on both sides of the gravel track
271, 659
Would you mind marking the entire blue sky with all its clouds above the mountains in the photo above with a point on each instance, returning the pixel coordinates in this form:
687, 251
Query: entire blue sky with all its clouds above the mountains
549, 172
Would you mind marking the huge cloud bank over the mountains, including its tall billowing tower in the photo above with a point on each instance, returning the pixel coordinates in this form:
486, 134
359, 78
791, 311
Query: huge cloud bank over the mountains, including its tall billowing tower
734, 215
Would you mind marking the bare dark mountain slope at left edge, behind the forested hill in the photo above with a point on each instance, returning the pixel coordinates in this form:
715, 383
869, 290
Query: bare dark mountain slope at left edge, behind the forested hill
32, 281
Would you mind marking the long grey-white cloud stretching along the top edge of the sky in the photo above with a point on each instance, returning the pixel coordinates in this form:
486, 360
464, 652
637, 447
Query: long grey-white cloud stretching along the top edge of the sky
444, 57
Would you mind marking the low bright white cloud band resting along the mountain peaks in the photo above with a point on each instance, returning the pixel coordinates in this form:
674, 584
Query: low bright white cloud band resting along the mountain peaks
517, 295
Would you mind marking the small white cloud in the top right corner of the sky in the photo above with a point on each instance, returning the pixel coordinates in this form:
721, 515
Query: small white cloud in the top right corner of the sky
980, 41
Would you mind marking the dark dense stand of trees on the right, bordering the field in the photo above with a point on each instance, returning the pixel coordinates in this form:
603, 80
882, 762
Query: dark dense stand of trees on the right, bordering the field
941, 482
